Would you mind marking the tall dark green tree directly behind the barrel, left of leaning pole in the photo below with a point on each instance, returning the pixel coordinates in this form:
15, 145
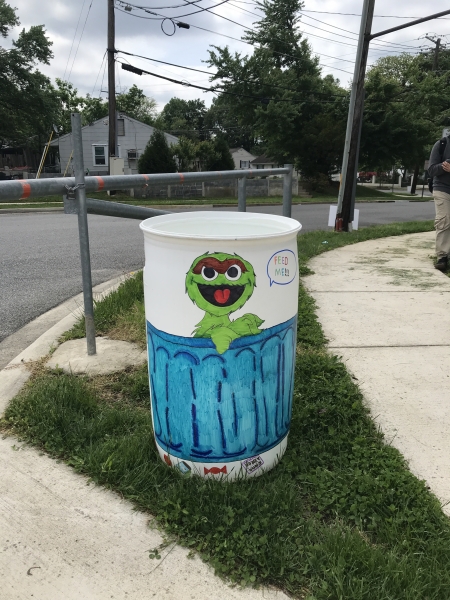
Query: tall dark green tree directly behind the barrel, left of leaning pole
280, 98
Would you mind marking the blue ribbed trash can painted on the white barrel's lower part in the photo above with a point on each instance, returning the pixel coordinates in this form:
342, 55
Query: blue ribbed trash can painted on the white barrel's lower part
213, 407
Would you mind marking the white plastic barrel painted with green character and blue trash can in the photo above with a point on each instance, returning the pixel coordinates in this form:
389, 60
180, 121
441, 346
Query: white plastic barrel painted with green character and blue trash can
221, 301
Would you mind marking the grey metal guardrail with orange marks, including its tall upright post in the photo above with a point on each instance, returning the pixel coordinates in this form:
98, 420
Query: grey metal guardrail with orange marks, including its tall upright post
74, 190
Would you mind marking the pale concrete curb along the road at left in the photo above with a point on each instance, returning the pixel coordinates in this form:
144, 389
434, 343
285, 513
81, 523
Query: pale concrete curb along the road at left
16, 373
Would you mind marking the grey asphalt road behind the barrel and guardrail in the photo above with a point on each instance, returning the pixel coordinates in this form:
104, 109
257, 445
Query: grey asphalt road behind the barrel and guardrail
40, 265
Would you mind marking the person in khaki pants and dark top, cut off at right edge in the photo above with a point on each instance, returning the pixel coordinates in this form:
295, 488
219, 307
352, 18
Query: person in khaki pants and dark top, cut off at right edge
439, 170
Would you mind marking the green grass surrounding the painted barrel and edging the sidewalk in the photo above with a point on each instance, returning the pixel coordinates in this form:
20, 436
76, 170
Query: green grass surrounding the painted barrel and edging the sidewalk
341, 517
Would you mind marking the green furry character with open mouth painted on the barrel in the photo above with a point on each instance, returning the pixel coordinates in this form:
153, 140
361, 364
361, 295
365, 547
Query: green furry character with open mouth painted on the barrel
220, 284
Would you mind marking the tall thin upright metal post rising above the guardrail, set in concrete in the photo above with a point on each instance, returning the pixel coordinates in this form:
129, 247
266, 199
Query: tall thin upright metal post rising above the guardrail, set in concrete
80, 195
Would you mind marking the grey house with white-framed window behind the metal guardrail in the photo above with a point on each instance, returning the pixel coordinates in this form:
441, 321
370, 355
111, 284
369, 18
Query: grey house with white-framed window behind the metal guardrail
132, 136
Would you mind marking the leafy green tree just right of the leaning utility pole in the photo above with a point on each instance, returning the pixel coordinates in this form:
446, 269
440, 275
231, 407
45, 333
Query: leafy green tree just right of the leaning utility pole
406, 107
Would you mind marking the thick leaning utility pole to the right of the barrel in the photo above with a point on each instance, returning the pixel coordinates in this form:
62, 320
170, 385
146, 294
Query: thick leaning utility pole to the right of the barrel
354, 122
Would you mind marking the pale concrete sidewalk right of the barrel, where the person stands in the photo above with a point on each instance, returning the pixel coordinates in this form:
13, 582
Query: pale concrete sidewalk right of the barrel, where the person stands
386, 311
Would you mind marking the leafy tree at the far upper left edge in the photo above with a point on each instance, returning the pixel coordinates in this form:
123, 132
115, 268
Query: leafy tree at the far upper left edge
27, 100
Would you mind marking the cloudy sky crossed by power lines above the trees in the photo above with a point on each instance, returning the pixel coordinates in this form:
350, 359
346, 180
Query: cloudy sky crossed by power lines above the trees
78, 30
